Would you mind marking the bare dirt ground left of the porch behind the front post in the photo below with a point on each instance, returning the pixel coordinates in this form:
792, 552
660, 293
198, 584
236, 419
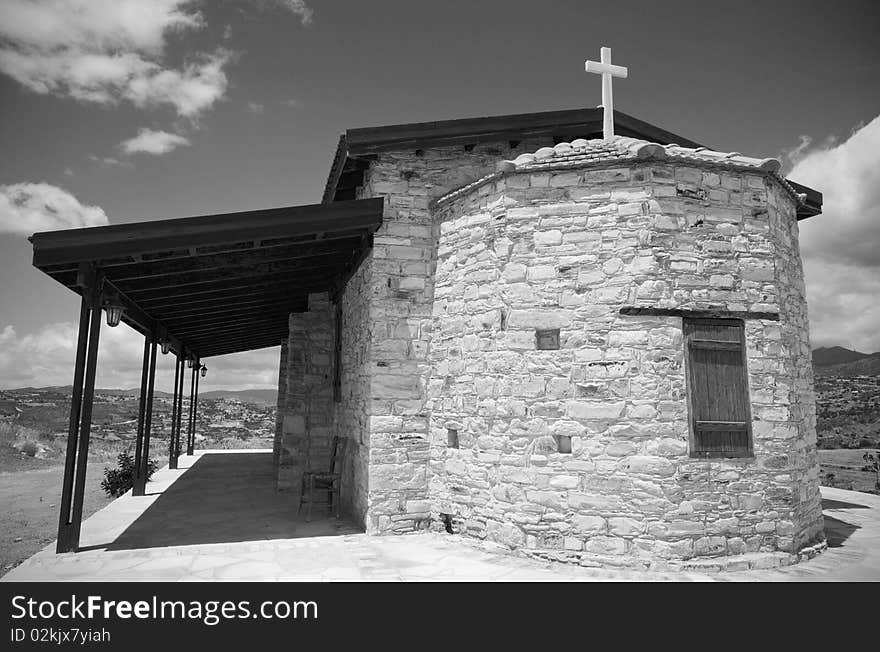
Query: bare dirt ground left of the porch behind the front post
29, 508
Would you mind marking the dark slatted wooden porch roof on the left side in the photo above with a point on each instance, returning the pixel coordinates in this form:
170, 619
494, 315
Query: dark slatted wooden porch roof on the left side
217, 284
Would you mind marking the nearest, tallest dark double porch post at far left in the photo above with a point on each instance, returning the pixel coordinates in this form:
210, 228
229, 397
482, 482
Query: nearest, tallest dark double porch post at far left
80, 423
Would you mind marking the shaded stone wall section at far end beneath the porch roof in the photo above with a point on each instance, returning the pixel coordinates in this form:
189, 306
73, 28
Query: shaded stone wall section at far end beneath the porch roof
308, 405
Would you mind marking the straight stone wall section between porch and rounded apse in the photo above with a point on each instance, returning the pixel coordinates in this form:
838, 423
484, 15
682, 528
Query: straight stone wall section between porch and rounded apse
402, 294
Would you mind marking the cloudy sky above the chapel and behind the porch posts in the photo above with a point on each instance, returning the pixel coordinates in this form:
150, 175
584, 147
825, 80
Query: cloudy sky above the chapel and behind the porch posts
115, 111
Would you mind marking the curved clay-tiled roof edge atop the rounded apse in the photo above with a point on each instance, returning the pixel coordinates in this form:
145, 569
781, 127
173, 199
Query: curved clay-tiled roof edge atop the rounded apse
580, 152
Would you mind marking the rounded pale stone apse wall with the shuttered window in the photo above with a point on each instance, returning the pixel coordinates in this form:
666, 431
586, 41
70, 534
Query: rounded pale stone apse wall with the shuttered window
566, 250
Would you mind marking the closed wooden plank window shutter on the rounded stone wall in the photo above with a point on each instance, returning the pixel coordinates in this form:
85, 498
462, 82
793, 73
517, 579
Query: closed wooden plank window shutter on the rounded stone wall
718, 388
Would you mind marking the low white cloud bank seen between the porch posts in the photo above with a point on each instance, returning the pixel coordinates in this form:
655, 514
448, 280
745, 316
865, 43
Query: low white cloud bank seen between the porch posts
46, 358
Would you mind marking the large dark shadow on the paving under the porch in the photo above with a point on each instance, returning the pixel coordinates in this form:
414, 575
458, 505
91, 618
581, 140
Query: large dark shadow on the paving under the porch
224, 498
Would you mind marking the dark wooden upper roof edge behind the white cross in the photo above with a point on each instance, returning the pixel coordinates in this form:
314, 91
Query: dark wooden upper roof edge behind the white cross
357, 148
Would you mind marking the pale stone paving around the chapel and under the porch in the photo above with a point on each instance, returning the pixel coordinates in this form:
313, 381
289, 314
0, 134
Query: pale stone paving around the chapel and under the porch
219, 518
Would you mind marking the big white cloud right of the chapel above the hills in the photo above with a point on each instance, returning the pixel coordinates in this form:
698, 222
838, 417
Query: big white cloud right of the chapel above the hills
841, 247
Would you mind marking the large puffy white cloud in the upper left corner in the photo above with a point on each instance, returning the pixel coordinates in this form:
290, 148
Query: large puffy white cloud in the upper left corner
106, 51
